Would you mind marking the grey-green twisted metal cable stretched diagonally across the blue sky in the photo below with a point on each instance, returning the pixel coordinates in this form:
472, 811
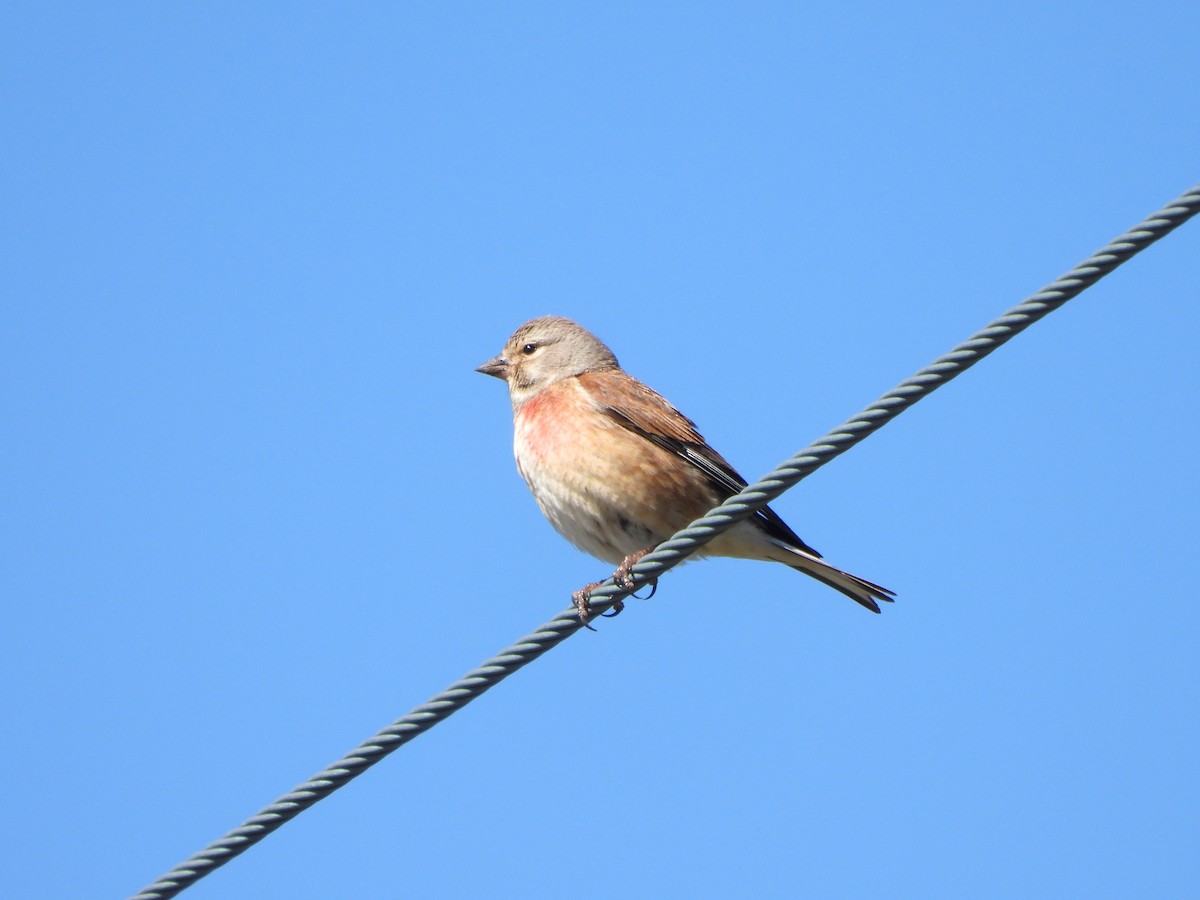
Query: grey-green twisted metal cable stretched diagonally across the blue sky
674, 551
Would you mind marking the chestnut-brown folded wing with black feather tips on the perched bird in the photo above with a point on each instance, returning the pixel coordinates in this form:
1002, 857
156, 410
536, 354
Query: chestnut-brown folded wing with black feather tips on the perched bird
646, 413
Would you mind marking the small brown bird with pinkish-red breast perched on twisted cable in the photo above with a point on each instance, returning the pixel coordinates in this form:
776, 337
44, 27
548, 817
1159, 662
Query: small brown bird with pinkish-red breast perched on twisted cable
617, 470
